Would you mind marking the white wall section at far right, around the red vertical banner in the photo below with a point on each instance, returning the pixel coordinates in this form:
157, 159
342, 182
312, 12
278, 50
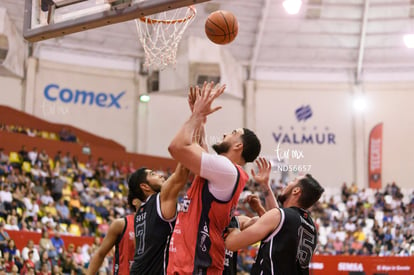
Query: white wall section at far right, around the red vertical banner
392, 104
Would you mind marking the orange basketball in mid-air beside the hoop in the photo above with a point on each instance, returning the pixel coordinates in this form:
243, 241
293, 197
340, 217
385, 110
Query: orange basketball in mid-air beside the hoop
221, 27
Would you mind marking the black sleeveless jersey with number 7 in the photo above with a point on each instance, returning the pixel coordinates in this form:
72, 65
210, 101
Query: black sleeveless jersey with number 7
152, 235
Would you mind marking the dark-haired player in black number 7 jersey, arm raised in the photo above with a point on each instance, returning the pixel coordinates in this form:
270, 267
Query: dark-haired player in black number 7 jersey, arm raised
154, 220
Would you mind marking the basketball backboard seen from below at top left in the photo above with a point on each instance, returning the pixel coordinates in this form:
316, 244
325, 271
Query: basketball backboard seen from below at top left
46, 19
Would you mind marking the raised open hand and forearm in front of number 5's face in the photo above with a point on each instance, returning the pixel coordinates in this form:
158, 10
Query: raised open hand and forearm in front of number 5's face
262, 178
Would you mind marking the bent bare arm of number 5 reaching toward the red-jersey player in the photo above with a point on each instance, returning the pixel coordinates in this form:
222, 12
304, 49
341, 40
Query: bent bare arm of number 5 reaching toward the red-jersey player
237, 239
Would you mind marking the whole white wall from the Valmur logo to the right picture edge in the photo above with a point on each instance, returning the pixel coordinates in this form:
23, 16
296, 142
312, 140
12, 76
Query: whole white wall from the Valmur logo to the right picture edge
329, 108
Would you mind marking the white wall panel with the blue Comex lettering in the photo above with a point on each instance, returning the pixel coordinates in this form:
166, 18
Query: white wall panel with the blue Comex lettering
96, 100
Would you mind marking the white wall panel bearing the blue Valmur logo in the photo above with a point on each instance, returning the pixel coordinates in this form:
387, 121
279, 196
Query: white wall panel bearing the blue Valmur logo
311, 125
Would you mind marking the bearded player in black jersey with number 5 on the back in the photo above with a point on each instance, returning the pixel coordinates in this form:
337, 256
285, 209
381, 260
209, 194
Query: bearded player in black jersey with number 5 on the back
288, 234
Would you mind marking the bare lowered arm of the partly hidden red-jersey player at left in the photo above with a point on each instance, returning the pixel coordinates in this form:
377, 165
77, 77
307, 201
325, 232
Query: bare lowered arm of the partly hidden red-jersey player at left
114, 231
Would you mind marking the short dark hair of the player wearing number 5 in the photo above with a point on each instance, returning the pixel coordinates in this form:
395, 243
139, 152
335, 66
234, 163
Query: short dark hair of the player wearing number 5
311, 191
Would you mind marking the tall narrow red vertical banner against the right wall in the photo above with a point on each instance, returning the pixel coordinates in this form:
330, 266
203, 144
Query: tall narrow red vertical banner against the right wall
375, 157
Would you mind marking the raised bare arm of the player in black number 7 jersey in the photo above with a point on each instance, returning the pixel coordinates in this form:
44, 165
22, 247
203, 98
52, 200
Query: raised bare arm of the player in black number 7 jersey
170, 189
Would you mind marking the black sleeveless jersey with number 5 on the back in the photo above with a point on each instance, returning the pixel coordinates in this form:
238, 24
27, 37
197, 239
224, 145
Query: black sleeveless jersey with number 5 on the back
289, 248
